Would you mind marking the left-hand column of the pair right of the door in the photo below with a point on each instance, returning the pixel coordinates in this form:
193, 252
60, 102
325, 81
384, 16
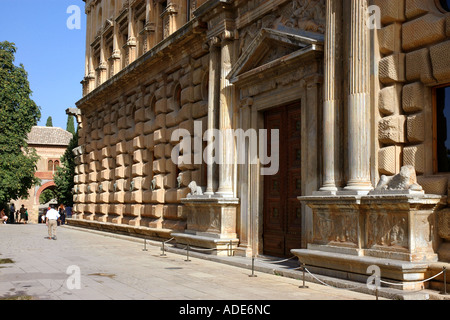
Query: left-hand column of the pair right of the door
332, 97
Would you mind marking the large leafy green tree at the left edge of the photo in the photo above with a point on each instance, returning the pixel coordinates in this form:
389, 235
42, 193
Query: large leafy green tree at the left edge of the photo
18, 114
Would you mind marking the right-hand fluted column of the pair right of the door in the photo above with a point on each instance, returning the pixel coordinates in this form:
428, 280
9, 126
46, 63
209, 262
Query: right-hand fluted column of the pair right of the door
359, 100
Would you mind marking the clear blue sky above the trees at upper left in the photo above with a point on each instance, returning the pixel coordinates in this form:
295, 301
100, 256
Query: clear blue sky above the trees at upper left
52, 54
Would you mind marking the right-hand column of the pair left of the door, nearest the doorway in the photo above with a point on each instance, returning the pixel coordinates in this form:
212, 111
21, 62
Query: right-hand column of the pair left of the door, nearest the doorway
225, 120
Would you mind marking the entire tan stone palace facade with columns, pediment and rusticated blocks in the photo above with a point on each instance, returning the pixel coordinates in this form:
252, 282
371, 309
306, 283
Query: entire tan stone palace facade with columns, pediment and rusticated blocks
363, 98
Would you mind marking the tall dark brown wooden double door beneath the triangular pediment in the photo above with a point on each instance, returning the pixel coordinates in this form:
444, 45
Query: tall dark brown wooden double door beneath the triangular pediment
282, 209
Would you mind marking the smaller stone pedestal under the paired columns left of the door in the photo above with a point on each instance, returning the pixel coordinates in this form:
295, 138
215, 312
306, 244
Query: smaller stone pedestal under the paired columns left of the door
211, 224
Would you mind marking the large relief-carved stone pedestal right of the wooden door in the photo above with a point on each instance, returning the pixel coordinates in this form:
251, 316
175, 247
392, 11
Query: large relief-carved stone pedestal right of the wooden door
396, 232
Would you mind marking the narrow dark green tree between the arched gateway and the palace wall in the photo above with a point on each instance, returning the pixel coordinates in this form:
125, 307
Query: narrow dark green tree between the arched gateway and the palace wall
64, 175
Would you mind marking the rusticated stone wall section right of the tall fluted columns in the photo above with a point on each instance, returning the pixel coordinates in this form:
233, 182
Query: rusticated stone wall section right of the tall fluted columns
413, 44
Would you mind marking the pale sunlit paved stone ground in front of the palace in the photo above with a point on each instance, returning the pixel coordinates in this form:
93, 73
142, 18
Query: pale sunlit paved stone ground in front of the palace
113, 268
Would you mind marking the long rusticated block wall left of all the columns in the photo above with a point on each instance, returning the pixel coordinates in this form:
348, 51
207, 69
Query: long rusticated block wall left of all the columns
124, 172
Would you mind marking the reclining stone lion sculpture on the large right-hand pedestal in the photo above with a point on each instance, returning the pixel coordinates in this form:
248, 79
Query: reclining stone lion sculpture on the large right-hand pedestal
405, 180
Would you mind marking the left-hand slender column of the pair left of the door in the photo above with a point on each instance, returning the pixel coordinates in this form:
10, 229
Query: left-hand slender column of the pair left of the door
213, 93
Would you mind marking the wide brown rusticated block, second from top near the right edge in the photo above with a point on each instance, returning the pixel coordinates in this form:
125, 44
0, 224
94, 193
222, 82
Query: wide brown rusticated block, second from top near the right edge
423, 31
